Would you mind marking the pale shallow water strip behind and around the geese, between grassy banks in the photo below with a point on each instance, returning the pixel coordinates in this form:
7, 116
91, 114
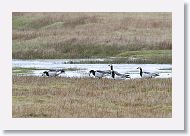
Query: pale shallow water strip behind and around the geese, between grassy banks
164, 70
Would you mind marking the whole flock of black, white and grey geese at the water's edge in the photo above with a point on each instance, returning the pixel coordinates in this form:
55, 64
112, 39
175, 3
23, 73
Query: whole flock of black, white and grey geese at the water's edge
99, 73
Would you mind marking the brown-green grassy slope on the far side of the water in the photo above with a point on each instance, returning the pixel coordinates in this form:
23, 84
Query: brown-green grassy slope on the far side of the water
87, 35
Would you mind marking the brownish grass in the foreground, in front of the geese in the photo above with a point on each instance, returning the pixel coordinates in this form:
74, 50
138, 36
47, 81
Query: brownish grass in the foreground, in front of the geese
65, 97
